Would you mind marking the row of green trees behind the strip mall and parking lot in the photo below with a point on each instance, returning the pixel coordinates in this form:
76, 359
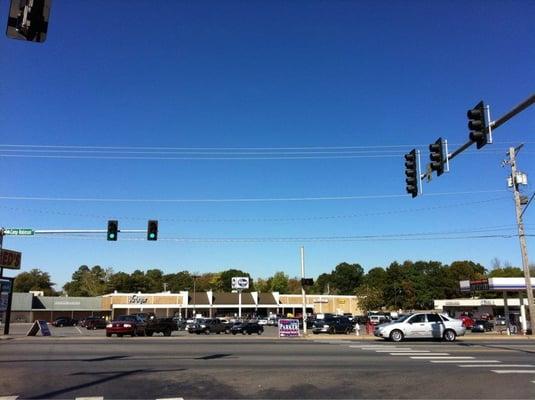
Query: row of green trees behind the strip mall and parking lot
407, 285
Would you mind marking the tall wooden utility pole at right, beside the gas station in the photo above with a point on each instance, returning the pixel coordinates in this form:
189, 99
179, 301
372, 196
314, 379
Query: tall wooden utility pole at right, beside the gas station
522, 239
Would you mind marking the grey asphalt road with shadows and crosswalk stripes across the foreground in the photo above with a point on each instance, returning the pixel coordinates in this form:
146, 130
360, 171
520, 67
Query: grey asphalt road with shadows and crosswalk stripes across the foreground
251, 367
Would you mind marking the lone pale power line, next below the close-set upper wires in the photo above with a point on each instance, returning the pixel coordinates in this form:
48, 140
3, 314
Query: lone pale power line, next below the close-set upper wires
241, 200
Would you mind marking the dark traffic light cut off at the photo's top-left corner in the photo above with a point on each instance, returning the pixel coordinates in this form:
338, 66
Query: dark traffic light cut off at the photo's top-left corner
28, 20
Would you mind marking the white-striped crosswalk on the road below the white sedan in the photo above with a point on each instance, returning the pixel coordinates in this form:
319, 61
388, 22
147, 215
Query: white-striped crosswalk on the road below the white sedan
425, 355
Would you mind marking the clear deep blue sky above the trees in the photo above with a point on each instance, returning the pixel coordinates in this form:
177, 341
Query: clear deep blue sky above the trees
251, 74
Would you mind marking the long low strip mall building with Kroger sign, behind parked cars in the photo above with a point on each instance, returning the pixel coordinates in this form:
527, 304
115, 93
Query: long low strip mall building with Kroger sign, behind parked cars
27, 307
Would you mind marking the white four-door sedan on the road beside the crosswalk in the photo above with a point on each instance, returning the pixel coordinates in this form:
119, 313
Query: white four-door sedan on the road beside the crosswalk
421, 325
